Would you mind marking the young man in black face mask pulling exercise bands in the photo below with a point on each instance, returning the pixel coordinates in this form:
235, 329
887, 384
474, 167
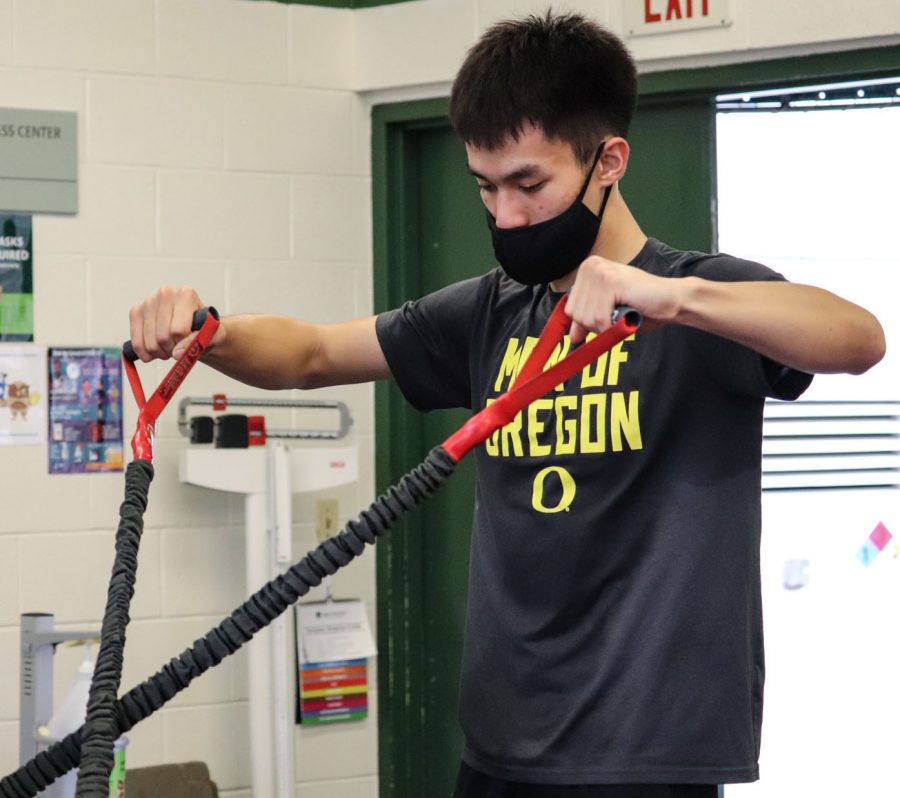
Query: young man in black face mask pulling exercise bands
614, 640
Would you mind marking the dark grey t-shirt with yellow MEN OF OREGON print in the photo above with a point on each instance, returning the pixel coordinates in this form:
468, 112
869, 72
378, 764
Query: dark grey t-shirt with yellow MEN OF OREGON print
614, 626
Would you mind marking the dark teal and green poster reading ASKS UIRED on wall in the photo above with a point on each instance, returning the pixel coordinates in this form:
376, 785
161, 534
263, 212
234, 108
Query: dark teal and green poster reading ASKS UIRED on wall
16, 297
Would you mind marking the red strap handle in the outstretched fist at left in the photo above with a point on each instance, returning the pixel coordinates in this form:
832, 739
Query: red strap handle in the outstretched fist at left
206, 321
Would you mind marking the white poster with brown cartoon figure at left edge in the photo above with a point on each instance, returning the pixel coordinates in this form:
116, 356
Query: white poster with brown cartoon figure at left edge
23, 395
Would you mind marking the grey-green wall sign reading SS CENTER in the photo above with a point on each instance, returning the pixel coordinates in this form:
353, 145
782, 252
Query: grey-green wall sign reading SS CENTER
38, 161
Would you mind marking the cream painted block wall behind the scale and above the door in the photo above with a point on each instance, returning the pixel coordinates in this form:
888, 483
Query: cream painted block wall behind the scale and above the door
225, 144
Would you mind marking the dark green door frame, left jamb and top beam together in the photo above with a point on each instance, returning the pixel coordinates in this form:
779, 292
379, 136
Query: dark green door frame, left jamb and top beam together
398, 438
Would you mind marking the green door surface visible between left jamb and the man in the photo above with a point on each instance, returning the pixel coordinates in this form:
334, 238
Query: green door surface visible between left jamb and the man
453, 244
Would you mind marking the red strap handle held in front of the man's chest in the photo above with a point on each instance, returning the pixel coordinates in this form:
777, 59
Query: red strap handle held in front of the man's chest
534, 385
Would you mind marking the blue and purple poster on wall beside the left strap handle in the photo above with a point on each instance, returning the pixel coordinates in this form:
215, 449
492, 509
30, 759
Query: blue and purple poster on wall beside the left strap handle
85, 417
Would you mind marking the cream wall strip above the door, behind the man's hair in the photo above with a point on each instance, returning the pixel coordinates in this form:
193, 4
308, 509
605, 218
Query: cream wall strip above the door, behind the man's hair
390, 39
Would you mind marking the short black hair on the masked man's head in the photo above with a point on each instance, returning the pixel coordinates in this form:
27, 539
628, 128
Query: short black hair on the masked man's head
561, 72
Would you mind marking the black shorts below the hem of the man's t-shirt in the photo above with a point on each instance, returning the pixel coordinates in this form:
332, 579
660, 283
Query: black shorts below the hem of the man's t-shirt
472, 784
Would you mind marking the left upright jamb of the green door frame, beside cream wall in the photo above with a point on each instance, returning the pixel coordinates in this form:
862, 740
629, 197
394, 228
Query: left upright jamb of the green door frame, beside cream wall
398, 444
